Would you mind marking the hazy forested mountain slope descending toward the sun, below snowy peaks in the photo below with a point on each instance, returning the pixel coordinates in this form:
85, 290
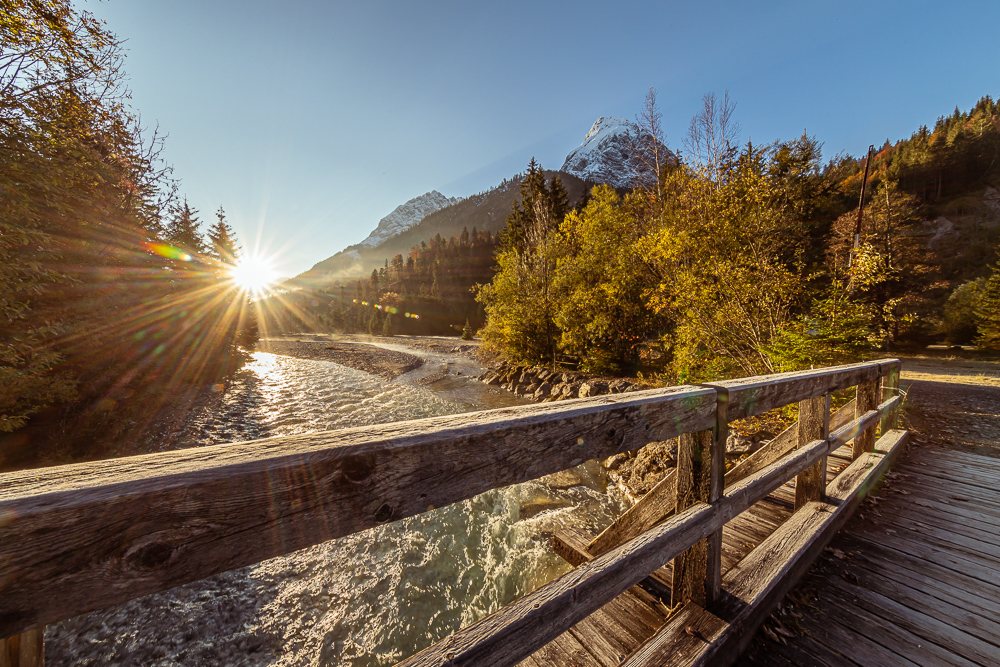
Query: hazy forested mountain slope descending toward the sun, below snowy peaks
485, 211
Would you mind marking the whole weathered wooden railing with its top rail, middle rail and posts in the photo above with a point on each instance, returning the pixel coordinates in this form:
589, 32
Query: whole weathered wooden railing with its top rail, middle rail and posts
82, 537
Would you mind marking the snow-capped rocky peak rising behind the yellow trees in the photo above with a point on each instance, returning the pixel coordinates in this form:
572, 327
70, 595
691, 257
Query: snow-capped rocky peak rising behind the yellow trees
612, 152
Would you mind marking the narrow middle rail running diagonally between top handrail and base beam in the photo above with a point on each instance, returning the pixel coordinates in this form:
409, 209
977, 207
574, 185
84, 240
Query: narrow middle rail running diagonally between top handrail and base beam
535, 619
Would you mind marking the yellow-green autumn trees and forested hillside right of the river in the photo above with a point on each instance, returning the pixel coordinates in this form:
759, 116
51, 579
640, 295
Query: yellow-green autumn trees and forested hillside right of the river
738, 260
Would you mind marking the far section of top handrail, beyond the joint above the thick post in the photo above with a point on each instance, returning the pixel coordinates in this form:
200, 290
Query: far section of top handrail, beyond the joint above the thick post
754, 395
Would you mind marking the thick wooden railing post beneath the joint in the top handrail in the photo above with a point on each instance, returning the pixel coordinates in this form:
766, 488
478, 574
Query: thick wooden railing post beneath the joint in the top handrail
694, 463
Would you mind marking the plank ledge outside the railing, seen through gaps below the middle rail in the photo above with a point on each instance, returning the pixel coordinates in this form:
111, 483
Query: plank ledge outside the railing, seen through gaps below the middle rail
607, 637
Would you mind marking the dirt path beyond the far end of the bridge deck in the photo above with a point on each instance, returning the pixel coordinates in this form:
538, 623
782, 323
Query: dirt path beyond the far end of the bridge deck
954, 403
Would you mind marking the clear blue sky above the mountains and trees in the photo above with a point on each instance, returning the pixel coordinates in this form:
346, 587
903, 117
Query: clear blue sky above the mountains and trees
309, 121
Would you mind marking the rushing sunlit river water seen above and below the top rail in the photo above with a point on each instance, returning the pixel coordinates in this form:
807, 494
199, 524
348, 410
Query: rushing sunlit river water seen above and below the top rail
371, 598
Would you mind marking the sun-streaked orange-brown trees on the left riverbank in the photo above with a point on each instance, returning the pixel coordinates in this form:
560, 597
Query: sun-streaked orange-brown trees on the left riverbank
105, 315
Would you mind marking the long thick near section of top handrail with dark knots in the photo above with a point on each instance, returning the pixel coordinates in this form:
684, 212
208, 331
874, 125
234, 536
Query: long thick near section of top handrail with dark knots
109, 531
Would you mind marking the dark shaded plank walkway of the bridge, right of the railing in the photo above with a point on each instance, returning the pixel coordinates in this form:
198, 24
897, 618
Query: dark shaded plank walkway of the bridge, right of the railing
913, 579
